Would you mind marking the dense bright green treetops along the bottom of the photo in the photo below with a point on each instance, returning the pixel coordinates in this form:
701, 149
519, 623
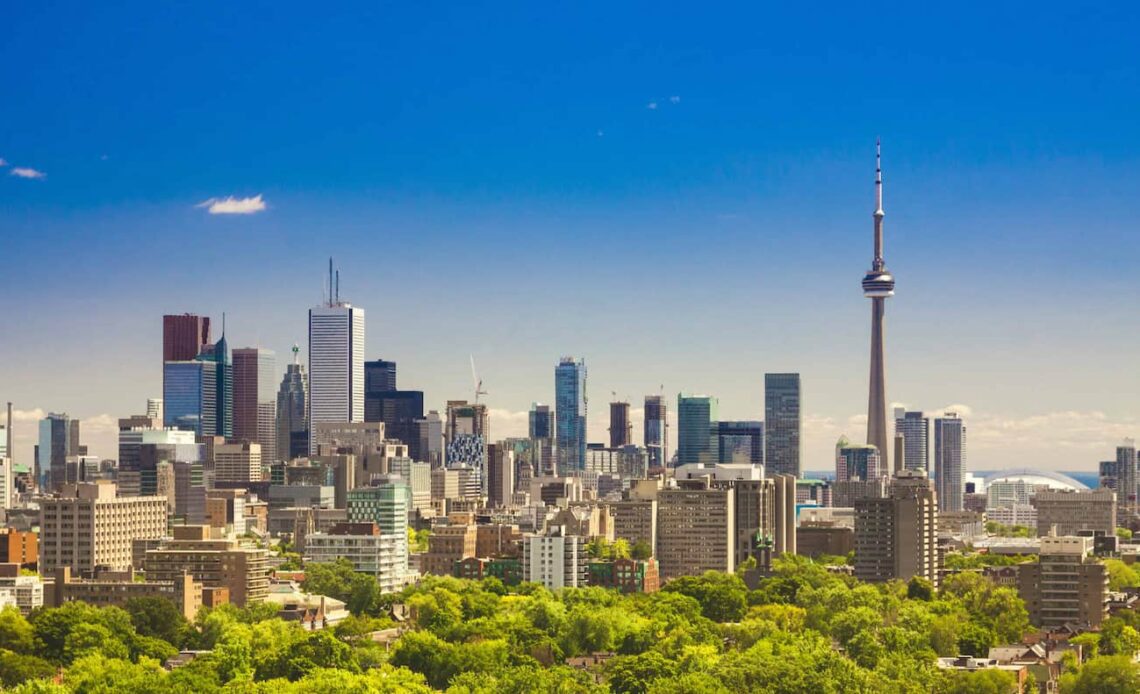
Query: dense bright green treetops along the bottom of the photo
803, 631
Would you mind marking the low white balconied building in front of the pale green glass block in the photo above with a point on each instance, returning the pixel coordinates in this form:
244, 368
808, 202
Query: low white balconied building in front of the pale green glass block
371, 551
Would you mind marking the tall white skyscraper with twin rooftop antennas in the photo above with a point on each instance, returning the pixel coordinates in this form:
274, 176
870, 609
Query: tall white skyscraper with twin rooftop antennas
336, 361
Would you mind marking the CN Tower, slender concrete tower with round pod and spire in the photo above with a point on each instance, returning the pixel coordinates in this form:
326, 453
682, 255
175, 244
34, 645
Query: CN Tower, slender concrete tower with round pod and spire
878, 285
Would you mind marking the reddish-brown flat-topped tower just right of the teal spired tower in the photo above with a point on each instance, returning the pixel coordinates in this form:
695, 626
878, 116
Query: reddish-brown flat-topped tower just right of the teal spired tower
256, 399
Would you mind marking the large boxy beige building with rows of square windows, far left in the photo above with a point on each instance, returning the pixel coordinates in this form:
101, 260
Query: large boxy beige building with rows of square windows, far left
87, 526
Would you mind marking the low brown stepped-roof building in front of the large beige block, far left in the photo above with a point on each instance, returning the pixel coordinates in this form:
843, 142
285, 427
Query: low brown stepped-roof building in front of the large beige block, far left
215, 562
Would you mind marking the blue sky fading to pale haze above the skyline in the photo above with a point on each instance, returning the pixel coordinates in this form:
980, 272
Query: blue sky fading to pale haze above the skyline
681, 195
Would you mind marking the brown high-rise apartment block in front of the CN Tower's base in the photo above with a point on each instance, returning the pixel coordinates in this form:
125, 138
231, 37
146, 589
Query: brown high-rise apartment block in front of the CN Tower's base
898, 537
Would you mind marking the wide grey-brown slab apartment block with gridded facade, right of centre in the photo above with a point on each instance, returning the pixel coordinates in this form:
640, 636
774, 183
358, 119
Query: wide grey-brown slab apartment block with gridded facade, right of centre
696, 529
